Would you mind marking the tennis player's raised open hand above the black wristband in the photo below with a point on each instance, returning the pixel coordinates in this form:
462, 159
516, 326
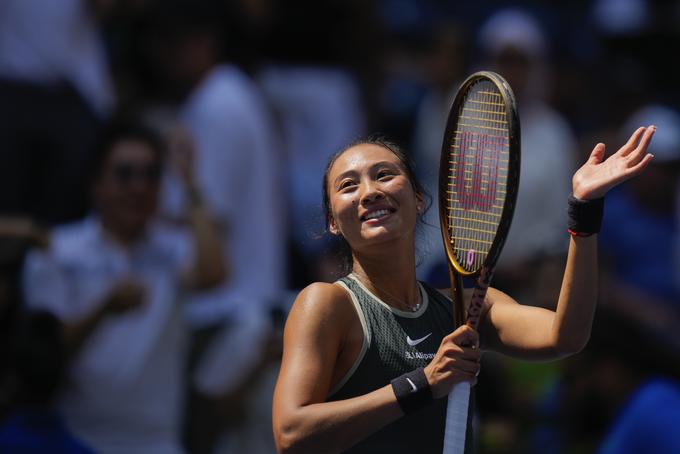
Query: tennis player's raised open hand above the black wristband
599, 175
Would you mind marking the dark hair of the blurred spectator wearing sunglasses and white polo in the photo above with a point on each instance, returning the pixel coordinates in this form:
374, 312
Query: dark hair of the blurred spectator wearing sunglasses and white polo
119, 129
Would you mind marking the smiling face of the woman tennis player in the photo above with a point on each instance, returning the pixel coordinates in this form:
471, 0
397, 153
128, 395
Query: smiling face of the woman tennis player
372, 201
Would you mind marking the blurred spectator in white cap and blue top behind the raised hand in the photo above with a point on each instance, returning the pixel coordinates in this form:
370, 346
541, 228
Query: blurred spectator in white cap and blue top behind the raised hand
640, 226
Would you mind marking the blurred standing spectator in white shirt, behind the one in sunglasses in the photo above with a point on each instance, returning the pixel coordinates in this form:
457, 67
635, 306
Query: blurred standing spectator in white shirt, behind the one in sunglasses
237, 164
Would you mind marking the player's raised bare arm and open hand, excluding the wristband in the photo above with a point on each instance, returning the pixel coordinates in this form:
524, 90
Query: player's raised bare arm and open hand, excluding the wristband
536, 333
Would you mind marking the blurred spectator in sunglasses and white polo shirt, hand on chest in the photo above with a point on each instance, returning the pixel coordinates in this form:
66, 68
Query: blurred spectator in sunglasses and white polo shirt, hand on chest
114, 279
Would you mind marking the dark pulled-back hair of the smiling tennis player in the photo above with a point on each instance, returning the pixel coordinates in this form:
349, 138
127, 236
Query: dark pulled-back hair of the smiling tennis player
406, 164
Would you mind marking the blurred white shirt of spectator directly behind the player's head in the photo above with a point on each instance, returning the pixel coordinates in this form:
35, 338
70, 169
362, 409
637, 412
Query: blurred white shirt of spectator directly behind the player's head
320, 111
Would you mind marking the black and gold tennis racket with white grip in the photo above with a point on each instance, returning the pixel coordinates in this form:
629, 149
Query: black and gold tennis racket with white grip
478, 181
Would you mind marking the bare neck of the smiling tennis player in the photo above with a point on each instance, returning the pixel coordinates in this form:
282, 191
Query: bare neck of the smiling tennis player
390, 274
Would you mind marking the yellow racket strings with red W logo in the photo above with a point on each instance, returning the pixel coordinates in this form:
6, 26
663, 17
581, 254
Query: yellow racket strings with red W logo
479, 162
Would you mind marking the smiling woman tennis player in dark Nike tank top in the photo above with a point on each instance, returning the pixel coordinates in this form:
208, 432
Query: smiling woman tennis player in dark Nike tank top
368, 358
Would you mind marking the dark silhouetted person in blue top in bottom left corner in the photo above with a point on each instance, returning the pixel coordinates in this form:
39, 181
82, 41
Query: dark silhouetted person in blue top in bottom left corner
37, 363
